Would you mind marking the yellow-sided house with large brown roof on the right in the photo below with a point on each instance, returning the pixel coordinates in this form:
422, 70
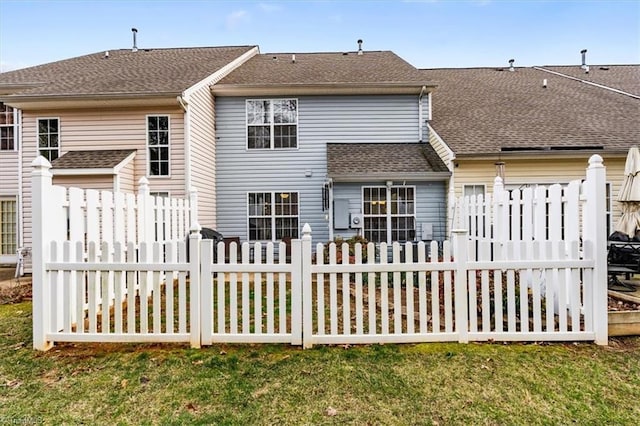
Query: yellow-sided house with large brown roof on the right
535, 125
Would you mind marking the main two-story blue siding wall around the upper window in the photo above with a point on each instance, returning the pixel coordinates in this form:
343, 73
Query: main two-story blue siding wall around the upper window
321, 119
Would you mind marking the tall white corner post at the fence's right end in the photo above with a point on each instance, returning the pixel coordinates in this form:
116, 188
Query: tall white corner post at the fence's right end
595, 231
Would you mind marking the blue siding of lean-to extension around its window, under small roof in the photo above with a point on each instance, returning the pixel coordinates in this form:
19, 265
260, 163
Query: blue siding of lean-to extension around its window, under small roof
430, 205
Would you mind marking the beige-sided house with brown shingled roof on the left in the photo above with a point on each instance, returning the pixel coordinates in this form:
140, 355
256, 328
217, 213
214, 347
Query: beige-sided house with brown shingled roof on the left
107, 119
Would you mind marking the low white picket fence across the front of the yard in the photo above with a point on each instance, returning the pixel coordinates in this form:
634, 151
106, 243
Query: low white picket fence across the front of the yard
463, 290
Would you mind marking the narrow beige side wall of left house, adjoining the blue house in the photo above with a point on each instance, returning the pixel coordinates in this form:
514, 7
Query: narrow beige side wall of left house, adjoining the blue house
202, 144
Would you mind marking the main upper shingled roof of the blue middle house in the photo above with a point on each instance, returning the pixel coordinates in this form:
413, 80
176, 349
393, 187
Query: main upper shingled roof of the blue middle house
324, 69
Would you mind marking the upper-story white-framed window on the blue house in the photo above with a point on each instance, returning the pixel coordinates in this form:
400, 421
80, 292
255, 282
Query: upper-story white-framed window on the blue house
272, 123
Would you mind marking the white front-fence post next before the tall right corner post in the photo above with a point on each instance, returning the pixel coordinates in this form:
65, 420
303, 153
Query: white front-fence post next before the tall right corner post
460, 248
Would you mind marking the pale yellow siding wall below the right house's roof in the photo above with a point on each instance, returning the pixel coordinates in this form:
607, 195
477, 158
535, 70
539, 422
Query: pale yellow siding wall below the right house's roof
539, 170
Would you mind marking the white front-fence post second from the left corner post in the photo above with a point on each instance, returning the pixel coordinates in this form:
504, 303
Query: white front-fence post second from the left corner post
195, 283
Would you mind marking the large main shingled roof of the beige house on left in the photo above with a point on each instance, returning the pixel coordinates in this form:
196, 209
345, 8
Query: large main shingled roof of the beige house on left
144, 72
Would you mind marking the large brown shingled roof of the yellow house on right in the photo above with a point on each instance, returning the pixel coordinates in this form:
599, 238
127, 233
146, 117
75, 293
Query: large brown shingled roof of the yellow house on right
481, 111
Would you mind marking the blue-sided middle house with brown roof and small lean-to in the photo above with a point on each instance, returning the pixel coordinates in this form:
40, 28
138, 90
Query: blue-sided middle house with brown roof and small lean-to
335, 140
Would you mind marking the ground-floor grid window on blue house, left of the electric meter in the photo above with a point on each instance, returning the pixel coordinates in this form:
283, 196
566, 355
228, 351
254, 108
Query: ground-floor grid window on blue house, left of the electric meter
273, 215
